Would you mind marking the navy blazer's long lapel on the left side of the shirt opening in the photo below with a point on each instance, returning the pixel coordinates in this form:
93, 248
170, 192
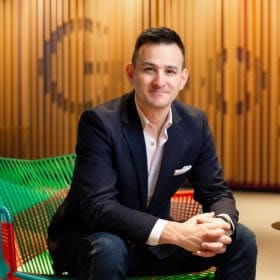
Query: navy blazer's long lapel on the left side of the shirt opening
133, 133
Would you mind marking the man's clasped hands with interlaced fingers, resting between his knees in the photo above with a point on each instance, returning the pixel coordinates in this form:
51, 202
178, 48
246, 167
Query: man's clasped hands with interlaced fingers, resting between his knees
204, 235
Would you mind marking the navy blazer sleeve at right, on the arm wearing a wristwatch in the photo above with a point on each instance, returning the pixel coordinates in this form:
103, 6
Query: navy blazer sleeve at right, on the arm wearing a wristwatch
207, 178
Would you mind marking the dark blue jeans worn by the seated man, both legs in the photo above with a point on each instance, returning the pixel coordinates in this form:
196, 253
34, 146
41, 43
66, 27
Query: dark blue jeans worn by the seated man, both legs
104, 256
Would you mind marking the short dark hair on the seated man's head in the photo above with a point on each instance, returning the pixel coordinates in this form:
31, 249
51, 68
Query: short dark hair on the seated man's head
158, 35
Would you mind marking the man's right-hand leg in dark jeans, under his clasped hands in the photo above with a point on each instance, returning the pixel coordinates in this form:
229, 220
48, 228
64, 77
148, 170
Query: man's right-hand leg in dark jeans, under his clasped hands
238, 263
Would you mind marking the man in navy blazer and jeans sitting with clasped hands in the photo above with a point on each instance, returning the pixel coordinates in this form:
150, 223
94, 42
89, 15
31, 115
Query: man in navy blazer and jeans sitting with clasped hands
133, 153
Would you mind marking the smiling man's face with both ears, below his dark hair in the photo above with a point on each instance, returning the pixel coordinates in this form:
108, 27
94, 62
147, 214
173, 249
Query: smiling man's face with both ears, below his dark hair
157, 76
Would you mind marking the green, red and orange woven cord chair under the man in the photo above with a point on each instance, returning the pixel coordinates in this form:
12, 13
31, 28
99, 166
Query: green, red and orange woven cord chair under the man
31, 191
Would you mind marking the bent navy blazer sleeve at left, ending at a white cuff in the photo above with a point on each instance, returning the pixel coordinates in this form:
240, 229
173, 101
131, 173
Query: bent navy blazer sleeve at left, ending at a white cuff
94, 182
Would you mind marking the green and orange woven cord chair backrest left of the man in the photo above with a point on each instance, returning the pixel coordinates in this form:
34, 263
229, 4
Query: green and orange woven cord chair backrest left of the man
32, 190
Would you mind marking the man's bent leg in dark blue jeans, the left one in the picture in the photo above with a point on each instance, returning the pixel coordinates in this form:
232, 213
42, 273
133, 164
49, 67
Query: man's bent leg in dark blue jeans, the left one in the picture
101, 256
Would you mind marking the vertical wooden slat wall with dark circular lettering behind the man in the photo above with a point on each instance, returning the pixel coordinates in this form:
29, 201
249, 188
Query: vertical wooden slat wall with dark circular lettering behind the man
58, 57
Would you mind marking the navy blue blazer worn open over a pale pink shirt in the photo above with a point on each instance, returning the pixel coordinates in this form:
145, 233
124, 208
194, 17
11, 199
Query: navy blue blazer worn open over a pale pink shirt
109, 187
